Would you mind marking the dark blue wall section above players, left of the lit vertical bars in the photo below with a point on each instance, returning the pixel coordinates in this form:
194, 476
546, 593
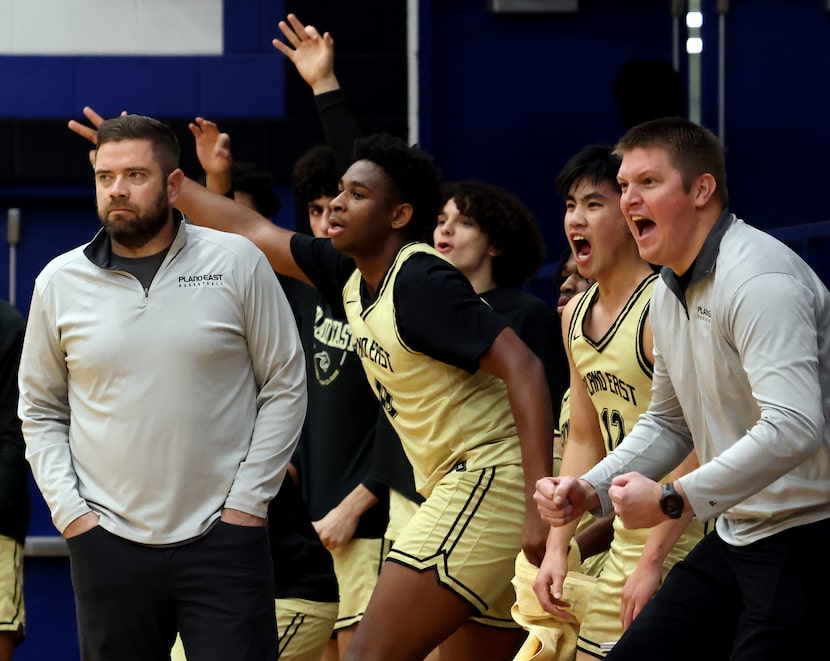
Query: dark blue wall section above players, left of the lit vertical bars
513, 96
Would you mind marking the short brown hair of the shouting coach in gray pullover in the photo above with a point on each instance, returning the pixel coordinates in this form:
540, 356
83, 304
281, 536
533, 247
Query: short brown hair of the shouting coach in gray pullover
692, 149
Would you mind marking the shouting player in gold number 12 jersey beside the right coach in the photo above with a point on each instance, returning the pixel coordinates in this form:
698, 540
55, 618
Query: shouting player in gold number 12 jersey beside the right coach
608, 340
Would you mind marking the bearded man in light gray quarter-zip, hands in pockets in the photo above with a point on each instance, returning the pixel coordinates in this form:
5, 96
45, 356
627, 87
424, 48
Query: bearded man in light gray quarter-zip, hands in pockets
162, 392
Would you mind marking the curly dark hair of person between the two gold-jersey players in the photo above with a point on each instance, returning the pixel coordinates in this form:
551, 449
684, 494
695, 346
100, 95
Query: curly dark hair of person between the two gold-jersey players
508, 223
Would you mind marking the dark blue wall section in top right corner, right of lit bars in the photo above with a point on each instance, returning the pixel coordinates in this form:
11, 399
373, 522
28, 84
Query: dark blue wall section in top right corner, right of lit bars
777, 135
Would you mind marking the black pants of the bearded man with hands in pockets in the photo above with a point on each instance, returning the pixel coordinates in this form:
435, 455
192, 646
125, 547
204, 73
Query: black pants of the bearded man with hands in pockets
217, 591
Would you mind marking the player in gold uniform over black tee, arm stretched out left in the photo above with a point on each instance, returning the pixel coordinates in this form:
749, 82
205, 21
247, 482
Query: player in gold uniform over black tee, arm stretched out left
468, 399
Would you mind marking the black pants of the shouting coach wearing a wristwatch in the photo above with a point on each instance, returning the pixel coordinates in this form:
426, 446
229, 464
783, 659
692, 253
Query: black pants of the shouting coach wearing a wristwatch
763, 601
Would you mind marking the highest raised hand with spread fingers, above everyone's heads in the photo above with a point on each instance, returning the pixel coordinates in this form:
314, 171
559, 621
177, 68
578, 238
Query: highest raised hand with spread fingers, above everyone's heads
311, 53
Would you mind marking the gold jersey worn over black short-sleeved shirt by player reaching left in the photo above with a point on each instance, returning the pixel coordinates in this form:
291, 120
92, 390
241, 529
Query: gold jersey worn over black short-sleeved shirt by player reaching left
445, 416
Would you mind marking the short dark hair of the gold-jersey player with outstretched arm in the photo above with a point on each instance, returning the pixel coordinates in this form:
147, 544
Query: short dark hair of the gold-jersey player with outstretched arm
411, 170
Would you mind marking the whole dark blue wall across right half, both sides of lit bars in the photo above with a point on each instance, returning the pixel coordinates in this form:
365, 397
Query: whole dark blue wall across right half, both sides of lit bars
511, 97
